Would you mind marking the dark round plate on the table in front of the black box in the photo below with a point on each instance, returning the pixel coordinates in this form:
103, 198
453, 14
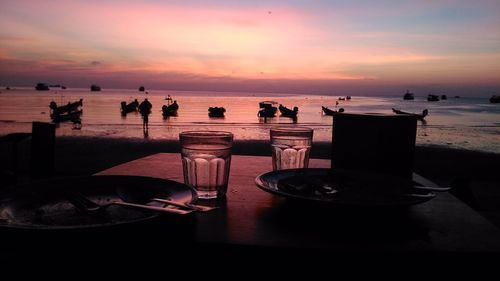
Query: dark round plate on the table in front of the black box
342, 187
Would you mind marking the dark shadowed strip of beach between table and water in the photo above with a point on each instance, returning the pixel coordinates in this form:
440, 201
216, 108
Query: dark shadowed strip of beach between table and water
473, 175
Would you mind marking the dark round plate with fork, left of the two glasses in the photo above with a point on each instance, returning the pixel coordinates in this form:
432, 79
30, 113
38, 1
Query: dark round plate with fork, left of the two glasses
43, 204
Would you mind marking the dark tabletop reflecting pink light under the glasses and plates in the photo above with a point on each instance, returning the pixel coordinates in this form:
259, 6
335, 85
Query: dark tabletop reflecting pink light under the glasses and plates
252, 217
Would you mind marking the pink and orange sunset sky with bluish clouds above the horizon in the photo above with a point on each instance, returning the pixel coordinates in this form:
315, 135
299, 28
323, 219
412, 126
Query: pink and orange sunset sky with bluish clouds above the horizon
272, 46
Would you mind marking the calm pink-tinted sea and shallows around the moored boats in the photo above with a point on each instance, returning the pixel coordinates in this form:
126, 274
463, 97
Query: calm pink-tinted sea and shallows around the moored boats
465, 123
